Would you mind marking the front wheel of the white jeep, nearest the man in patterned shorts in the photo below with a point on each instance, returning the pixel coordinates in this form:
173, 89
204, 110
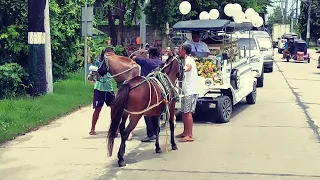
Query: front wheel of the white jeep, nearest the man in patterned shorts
224, 109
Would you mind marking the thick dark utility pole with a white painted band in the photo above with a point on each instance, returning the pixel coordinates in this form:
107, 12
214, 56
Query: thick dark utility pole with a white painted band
36, 41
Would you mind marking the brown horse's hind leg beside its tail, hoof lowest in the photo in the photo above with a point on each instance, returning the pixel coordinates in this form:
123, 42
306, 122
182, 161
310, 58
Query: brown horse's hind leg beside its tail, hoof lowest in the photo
134, 119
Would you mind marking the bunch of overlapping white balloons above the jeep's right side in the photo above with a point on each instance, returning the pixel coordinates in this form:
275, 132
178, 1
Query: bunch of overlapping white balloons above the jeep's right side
250, 15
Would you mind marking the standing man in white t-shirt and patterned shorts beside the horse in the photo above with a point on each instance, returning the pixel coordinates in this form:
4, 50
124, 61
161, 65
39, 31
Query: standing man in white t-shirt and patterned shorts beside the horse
191, 92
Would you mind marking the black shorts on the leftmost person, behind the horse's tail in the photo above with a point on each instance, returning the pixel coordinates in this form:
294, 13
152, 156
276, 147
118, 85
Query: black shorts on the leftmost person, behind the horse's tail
101, 97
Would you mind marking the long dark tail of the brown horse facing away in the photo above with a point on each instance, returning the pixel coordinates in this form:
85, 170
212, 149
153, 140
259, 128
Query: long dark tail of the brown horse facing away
120, 104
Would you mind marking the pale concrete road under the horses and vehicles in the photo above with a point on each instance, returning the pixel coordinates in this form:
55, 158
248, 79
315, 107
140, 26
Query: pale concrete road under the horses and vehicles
277, 138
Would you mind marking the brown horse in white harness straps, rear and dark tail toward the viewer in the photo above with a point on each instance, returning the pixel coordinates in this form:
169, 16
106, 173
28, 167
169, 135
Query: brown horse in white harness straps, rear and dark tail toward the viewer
141, 96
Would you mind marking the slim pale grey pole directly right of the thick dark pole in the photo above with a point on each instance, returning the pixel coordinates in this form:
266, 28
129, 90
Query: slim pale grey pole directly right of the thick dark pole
48, 49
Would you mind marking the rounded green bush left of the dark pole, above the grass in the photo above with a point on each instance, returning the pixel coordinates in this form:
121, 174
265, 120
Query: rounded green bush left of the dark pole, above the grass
11, 80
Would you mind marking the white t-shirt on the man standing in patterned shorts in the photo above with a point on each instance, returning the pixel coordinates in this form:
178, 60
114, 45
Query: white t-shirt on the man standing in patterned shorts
191, 81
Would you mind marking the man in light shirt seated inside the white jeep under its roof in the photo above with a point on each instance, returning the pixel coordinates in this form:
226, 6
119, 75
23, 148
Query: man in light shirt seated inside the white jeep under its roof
198, 46
